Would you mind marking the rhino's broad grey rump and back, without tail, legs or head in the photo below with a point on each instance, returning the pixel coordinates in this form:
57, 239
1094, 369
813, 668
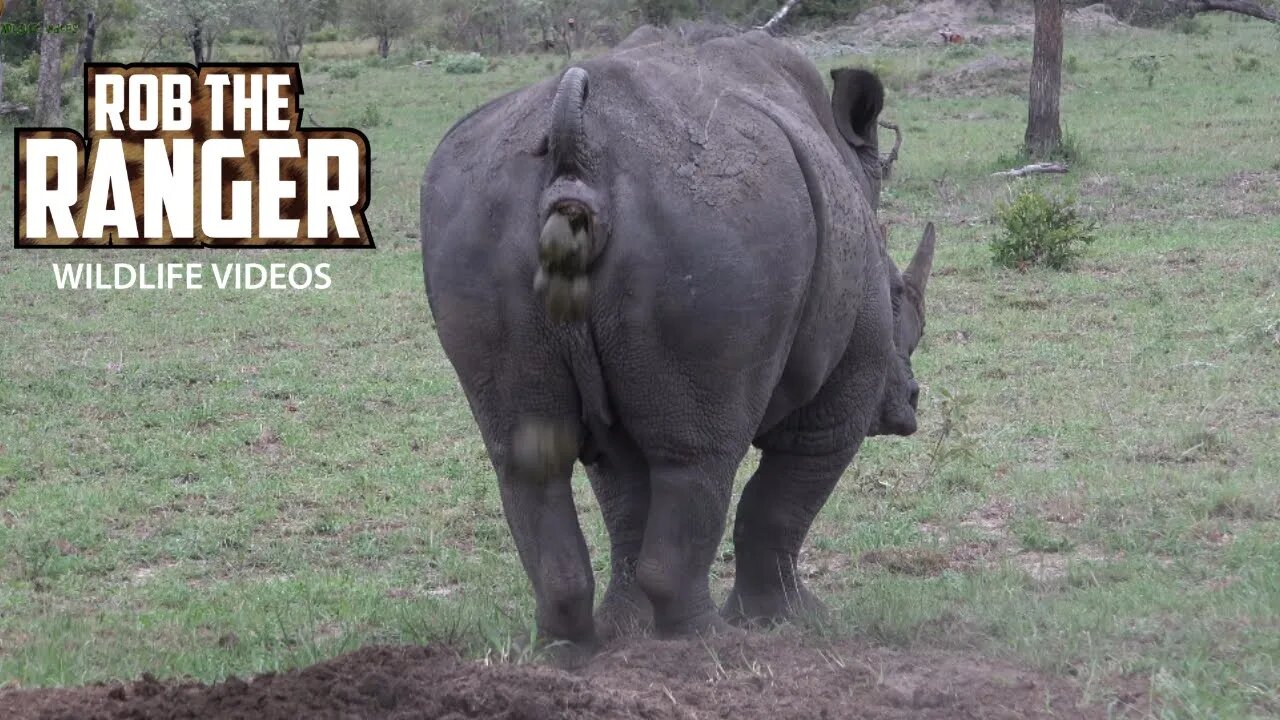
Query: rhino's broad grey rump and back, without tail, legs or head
715, 274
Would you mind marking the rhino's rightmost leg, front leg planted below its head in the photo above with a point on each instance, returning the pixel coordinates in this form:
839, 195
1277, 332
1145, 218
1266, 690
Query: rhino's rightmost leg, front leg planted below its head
774, 517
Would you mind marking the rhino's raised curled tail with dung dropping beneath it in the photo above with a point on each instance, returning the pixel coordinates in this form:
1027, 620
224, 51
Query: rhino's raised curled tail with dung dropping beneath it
573, 231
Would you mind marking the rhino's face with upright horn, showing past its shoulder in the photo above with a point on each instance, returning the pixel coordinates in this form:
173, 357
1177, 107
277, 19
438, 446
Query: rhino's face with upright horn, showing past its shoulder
907, 291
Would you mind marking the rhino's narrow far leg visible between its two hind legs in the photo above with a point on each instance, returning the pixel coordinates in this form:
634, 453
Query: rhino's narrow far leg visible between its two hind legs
621, 486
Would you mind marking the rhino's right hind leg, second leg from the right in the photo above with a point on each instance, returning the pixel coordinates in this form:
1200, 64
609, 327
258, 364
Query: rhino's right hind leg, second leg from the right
688, 508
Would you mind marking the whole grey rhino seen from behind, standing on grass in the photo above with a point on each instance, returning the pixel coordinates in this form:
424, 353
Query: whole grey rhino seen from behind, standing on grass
650, 265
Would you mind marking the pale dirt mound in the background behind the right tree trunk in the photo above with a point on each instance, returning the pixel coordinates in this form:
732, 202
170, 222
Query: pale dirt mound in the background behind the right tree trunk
967, 21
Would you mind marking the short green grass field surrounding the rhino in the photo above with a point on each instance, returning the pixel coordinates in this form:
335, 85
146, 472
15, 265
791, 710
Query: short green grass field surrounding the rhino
216, 484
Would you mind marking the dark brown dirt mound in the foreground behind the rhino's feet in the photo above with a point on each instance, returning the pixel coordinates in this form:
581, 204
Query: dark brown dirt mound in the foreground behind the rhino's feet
748, 677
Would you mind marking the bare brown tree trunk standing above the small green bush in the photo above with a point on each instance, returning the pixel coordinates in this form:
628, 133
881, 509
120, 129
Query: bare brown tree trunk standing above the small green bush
1044, 131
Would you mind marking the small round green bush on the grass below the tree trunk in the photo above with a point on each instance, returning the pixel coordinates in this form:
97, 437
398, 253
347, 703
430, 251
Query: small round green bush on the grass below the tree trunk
1040, 231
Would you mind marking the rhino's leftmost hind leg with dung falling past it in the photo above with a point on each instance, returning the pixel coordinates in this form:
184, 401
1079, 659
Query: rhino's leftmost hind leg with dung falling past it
538, 502
